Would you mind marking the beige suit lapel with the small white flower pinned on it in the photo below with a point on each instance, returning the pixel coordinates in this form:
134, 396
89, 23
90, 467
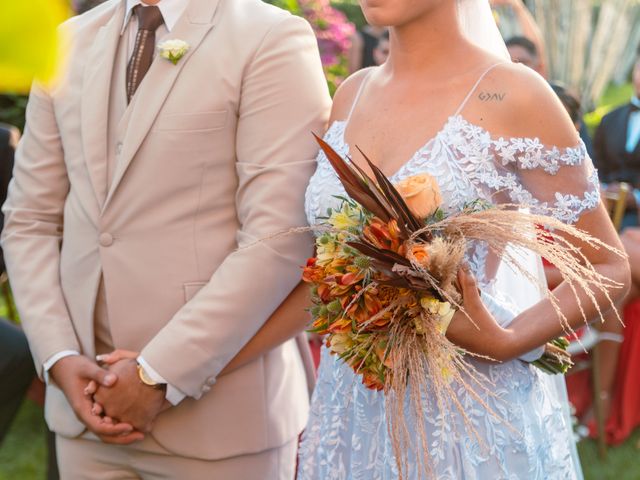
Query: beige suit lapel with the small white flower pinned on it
156, 86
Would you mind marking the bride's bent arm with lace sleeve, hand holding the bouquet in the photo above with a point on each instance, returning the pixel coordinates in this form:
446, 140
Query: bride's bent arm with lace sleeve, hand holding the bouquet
532, 111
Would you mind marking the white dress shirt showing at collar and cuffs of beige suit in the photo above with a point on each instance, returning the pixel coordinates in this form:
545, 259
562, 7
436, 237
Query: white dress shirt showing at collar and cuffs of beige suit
171, 11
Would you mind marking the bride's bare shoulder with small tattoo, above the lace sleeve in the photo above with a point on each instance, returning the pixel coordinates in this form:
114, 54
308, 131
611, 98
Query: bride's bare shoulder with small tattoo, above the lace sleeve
521, 103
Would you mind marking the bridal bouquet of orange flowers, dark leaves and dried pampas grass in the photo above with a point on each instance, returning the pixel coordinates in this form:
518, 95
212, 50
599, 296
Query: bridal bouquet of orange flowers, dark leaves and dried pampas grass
384, 286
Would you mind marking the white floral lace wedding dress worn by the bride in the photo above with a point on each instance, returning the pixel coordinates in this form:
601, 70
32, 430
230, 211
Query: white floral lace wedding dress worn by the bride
347, 438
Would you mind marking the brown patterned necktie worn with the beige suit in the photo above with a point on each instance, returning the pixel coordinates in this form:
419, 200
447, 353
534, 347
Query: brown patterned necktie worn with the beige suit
149, 19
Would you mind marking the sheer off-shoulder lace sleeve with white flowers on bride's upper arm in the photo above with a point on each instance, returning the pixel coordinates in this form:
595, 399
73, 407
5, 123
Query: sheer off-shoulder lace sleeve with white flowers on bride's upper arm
552, 181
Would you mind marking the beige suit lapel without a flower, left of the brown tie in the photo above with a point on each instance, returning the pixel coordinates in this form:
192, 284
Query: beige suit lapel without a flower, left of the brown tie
94, 109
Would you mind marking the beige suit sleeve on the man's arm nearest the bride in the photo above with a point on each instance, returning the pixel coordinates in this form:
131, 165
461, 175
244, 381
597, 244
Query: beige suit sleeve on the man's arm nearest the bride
284, 98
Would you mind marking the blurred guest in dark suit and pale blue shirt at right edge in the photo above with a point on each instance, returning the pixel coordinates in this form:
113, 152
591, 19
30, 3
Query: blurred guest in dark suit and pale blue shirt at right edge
617, 144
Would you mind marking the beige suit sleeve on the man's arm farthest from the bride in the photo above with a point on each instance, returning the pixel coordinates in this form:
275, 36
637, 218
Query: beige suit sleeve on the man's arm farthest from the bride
32, 233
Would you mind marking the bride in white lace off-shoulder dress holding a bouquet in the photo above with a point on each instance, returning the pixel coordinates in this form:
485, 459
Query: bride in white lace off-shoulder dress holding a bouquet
484, 128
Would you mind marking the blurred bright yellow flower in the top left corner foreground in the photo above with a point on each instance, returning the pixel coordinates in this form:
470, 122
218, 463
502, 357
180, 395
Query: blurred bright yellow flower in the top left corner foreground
31, 44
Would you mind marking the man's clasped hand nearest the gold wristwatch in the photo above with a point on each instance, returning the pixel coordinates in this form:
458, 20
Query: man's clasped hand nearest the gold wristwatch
129, 400
